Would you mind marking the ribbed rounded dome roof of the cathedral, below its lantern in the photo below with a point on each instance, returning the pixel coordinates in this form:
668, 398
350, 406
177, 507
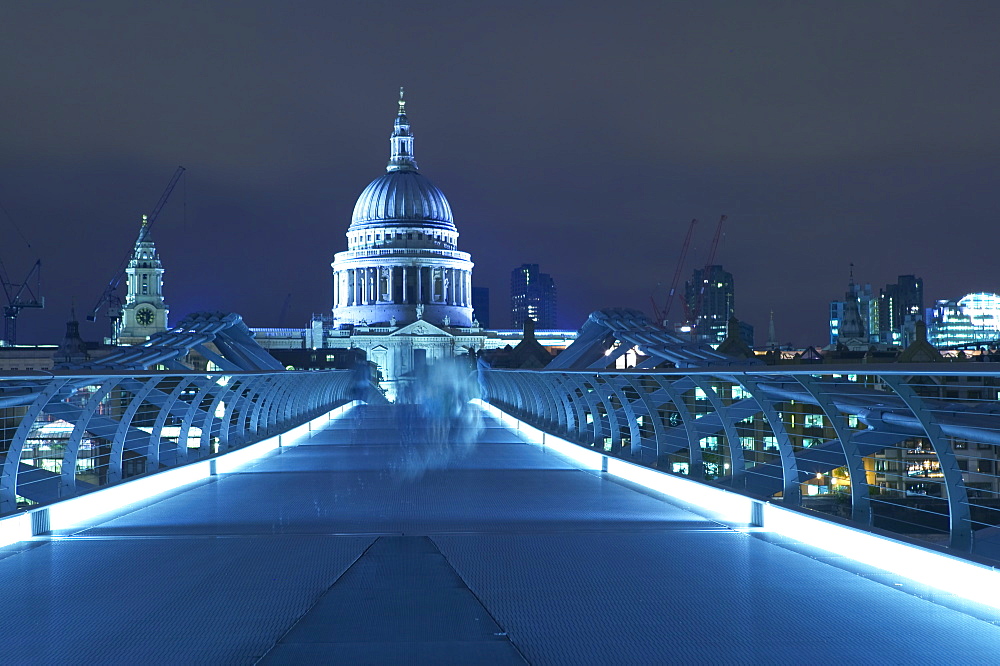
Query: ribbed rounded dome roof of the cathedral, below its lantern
402, 196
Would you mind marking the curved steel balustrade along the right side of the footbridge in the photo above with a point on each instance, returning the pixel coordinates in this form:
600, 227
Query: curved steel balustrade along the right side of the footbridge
910, 449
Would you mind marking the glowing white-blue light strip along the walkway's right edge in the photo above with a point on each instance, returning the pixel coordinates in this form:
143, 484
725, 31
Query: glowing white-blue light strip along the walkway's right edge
968, 580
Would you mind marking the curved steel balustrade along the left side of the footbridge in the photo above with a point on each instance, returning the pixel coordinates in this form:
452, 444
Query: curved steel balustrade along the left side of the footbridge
131, 423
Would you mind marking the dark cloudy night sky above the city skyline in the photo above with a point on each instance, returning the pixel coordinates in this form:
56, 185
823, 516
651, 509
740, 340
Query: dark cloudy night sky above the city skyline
579, 136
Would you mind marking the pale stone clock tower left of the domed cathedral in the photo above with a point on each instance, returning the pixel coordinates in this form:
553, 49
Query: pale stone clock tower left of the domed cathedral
144, 313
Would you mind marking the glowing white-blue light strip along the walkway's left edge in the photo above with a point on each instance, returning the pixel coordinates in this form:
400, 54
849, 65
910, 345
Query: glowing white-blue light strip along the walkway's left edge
76, 511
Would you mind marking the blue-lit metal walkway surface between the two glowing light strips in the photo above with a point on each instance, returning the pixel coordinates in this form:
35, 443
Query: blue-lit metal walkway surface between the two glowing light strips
390, 538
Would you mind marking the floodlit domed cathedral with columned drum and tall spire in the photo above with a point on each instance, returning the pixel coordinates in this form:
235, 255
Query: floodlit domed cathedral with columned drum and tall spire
402, 291
